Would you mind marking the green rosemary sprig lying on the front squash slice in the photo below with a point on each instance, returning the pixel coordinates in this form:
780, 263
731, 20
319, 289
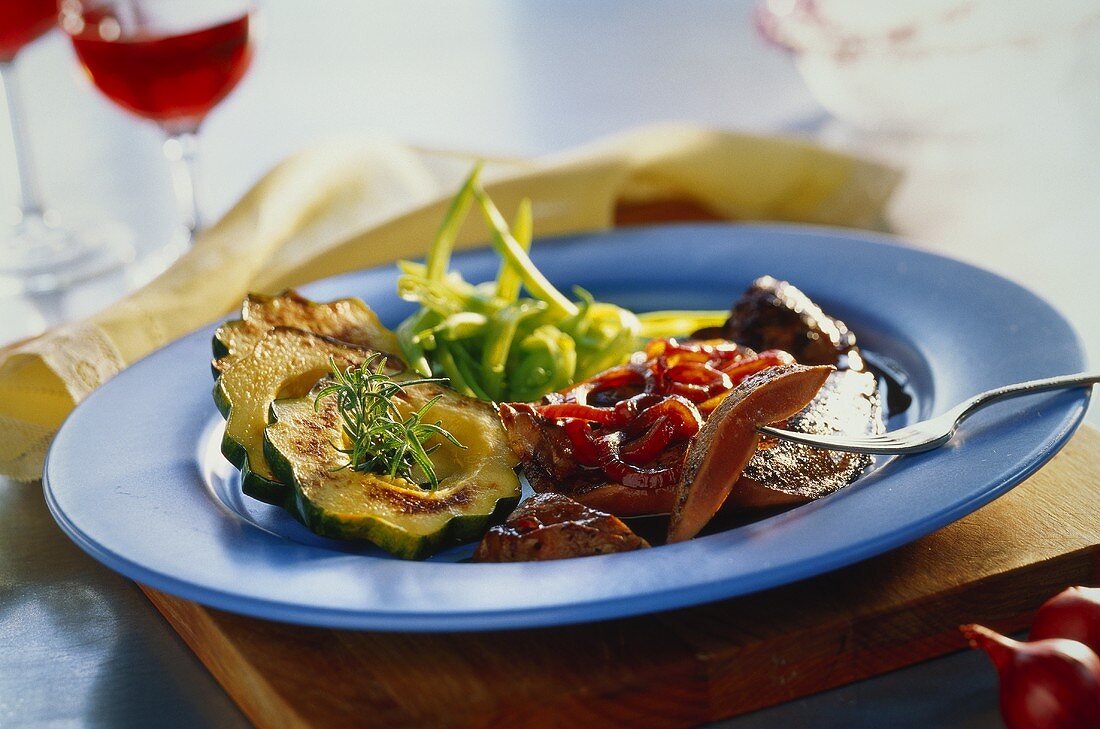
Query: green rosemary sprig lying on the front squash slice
381, 440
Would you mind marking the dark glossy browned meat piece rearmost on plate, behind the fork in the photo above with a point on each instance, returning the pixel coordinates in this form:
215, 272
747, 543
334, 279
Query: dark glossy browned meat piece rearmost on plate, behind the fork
774, 315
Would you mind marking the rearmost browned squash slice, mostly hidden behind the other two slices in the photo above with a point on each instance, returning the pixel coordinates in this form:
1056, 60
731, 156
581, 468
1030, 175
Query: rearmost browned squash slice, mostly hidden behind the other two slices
347, 321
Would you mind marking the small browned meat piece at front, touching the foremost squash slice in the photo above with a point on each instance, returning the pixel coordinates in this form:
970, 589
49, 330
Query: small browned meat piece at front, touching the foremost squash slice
555, 527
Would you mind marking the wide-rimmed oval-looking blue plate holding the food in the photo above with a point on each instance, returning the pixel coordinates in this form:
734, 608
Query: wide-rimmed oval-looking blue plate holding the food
136, 479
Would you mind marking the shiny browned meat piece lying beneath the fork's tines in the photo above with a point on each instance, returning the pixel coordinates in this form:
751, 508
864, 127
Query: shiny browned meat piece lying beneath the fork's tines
784, 473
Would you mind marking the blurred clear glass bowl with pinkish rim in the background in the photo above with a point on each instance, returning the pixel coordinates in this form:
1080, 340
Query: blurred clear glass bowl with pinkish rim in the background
934, 67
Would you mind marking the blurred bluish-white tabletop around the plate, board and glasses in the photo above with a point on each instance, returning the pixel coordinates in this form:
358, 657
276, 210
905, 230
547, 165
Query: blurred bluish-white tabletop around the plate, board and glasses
83, 647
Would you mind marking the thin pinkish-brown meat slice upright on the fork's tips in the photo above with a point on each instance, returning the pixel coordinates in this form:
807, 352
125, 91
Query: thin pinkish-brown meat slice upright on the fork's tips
729, 440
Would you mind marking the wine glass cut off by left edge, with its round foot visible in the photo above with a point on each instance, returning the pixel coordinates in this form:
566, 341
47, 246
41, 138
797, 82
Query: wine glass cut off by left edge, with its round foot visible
42, 251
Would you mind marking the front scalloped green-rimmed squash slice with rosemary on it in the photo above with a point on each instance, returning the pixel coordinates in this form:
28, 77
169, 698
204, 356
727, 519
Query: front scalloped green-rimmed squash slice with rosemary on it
478, 485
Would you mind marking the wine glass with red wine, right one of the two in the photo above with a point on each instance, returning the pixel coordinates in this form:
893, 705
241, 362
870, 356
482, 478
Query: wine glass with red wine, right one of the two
170, 62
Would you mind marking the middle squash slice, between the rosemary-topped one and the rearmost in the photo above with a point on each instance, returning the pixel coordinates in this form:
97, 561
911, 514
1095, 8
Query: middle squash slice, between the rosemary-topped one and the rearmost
283, 363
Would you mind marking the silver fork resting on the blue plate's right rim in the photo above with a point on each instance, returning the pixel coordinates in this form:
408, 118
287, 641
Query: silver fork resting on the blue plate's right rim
931, 434
